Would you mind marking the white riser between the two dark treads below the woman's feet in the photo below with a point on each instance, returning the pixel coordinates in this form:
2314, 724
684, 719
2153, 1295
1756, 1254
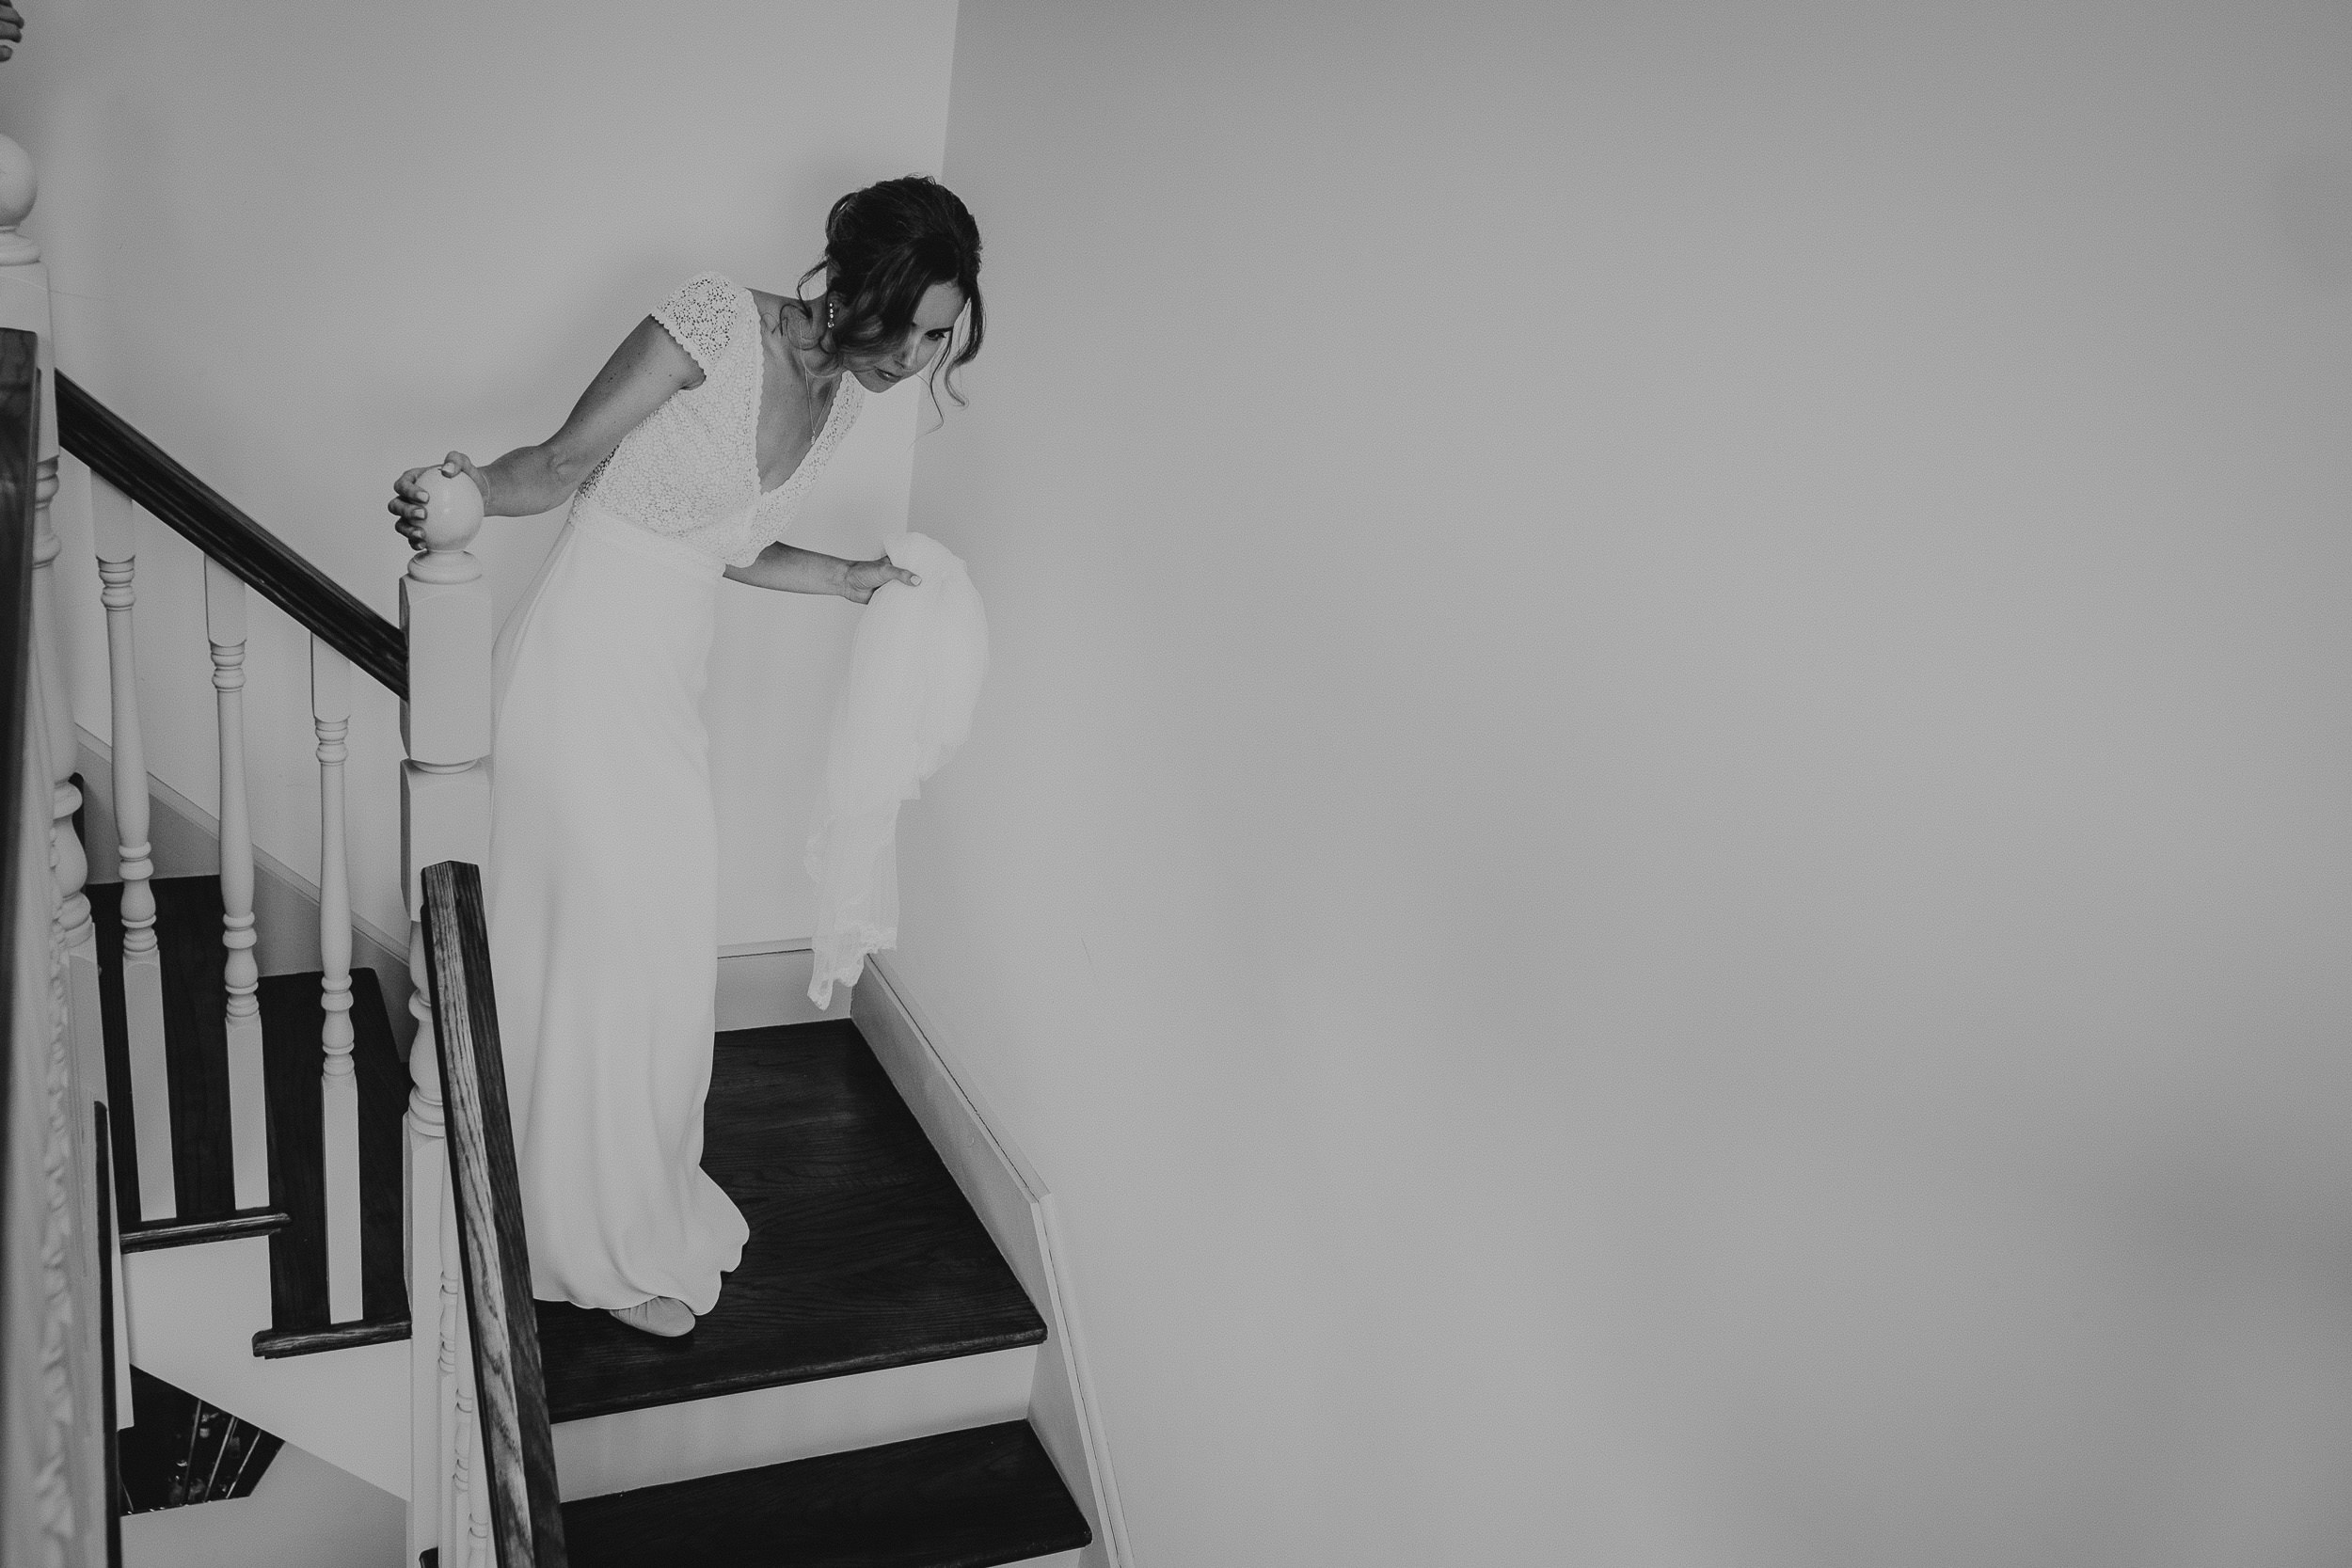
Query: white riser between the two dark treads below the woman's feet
799, 1421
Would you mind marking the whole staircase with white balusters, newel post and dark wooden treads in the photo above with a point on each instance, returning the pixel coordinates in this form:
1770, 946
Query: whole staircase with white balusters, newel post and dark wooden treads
890, 1374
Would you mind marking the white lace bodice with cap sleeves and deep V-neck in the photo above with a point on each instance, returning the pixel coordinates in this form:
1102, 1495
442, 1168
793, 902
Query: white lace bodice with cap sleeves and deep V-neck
693, 469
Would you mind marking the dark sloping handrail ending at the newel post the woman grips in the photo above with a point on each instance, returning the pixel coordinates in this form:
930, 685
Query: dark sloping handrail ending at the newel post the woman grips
199, 514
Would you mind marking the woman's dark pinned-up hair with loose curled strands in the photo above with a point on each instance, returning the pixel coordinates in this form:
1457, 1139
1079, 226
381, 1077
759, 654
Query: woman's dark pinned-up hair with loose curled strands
886, 246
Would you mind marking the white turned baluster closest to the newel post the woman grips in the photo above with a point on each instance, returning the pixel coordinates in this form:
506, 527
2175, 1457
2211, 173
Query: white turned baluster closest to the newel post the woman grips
340, 1087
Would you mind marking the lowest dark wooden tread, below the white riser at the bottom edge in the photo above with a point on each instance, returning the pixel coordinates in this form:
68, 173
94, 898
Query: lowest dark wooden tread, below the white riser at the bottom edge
956, 1501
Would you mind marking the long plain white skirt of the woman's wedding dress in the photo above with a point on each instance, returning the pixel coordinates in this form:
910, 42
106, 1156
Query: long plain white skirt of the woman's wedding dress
603, 918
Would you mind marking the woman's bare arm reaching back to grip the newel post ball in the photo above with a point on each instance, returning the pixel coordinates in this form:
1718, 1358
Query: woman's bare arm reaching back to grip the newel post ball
528, 481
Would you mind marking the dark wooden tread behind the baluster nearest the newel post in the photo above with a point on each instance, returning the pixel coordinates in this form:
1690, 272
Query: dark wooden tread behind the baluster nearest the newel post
290, 1054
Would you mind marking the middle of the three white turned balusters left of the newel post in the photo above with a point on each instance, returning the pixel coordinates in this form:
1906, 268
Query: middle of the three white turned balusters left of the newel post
248, 1132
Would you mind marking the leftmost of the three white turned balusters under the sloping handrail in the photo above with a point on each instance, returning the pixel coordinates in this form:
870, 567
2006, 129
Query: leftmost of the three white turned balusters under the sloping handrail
142, 965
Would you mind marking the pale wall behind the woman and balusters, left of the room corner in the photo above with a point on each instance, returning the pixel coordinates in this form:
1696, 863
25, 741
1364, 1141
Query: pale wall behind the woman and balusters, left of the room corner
312, 246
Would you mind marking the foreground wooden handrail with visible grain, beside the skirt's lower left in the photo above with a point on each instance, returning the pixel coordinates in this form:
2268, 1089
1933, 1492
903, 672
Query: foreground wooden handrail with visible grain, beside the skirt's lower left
519, 1449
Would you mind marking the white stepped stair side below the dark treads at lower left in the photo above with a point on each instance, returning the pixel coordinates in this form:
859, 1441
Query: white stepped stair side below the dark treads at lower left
194, 1313
